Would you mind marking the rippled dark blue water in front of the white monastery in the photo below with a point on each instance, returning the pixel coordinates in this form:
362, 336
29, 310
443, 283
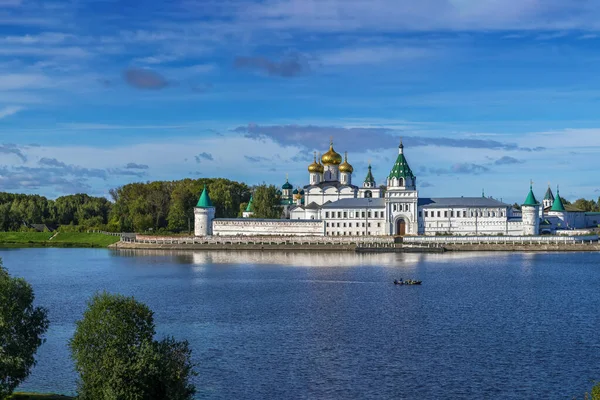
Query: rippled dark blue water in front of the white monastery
333, 326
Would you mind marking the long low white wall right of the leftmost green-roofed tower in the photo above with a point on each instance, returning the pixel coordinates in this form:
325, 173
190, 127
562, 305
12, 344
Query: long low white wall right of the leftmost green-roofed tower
267, 227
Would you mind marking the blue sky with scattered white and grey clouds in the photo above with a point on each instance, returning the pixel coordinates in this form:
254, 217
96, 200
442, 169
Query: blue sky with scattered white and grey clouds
487, 95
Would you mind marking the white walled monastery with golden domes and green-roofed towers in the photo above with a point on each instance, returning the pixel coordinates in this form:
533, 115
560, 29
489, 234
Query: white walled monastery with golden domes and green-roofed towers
332, 205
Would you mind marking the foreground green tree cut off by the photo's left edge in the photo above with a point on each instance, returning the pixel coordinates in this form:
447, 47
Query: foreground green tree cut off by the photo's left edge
22, 327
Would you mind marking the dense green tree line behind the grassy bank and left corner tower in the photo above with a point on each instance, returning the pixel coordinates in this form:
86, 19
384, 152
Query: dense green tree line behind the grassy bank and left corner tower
160, 206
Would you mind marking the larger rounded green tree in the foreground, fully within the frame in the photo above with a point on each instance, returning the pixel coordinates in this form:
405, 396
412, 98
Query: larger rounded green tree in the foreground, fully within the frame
117, 358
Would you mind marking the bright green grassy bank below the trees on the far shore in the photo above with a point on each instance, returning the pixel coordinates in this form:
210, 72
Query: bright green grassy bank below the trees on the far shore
62, 239
